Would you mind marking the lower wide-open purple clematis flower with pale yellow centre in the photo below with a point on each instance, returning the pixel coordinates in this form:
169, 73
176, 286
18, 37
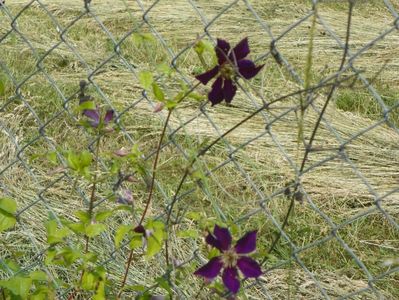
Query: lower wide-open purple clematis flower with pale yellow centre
232, 258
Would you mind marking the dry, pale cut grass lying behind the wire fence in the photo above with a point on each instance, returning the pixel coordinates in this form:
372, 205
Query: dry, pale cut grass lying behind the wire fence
333, 186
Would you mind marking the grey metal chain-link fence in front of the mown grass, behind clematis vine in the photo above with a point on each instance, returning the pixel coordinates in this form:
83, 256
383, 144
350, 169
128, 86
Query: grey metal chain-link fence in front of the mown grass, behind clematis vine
342, 237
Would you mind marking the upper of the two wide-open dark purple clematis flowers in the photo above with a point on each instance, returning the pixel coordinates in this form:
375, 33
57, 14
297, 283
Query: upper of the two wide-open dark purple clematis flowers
231, 62
